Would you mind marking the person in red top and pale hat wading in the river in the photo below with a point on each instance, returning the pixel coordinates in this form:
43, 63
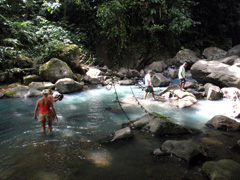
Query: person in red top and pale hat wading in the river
47, 112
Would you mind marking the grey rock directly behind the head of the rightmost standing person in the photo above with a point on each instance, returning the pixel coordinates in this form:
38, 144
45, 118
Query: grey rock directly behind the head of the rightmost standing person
185, 55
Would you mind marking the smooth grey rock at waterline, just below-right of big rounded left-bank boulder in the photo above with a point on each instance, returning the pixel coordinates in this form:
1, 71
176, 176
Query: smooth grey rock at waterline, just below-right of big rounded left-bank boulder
68, 85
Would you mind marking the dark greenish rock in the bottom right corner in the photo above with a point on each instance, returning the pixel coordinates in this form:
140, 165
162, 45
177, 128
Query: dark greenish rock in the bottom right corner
225, 169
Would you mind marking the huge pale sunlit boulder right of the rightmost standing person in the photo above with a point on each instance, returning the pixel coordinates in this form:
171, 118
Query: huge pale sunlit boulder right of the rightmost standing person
216, 73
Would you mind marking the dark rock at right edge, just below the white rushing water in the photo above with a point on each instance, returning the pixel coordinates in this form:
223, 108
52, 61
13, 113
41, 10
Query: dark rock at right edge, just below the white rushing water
221, 122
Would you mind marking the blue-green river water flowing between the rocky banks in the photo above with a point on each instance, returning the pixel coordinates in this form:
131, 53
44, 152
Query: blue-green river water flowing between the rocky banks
73, 150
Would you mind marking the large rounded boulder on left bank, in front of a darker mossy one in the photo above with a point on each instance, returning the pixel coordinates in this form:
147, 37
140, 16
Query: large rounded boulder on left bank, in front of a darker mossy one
55, 69
